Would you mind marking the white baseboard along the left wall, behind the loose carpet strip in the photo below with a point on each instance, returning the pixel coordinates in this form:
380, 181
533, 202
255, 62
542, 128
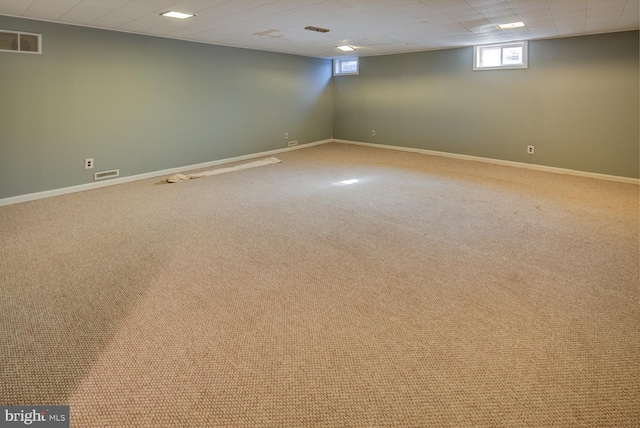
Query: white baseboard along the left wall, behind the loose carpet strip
96, 185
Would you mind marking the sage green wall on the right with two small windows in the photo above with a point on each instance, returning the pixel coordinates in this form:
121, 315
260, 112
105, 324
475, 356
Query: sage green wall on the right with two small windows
577, 103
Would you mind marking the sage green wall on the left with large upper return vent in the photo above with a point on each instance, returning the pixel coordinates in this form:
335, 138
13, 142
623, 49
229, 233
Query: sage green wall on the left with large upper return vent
143, 104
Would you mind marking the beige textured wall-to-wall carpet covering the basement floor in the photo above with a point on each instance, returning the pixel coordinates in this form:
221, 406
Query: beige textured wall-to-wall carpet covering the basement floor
430, 293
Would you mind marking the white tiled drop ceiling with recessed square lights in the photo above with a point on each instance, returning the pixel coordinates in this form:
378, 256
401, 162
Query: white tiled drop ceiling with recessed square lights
373, 27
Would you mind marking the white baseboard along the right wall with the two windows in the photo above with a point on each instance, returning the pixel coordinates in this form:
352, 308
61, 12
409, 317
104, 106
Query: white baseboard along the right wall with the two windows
543, 168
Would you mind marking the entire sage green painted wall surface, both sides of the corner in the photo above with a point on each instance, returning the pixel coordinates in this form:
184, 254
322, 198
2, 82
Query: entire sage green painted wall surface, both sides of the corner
143, 104
